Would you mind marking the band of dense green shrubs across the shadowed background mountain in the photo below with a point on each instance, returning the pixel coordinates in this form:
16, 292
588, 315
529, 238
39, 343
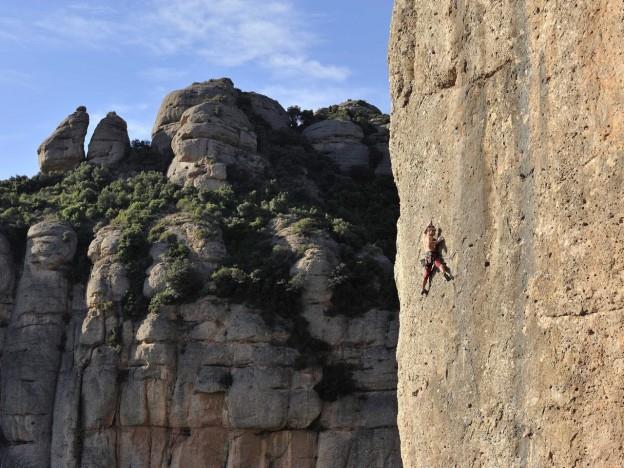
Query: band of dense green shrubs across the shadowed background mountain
299, 183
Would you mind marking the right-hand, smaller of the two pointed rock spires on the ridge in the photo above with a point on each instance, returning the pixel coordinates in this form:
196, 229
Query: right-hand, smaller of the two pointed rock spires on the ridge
109, 143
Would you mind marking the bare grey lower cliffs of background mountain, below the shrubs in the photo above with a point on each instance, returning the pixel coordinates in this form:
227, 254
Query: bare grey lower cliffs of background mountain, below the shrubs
207, 383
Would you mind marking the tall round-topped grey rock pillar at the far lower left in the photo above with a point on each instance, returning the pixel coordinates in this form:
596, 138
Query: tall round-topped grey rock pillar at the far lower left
32, 351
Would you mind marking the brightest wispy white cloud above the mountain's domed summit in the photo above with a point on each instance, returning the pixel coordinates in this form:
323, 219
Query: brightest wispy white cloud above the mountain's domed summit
236, 32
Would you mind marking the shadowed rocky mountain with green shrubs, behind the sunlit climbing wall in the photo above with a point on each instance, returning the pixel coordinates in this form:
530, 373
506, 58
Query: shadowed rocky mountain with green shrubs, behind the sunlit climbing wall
232, 306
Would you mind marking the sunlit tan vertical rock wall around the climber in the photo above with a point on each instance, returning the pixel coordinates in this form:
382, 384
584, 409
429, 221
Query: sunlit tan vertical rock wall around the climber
507, 131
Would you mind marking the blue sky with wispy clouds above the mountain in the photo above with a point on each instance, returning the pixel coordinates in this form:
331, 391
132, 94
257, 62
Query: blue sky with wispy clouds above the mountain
126, 55
